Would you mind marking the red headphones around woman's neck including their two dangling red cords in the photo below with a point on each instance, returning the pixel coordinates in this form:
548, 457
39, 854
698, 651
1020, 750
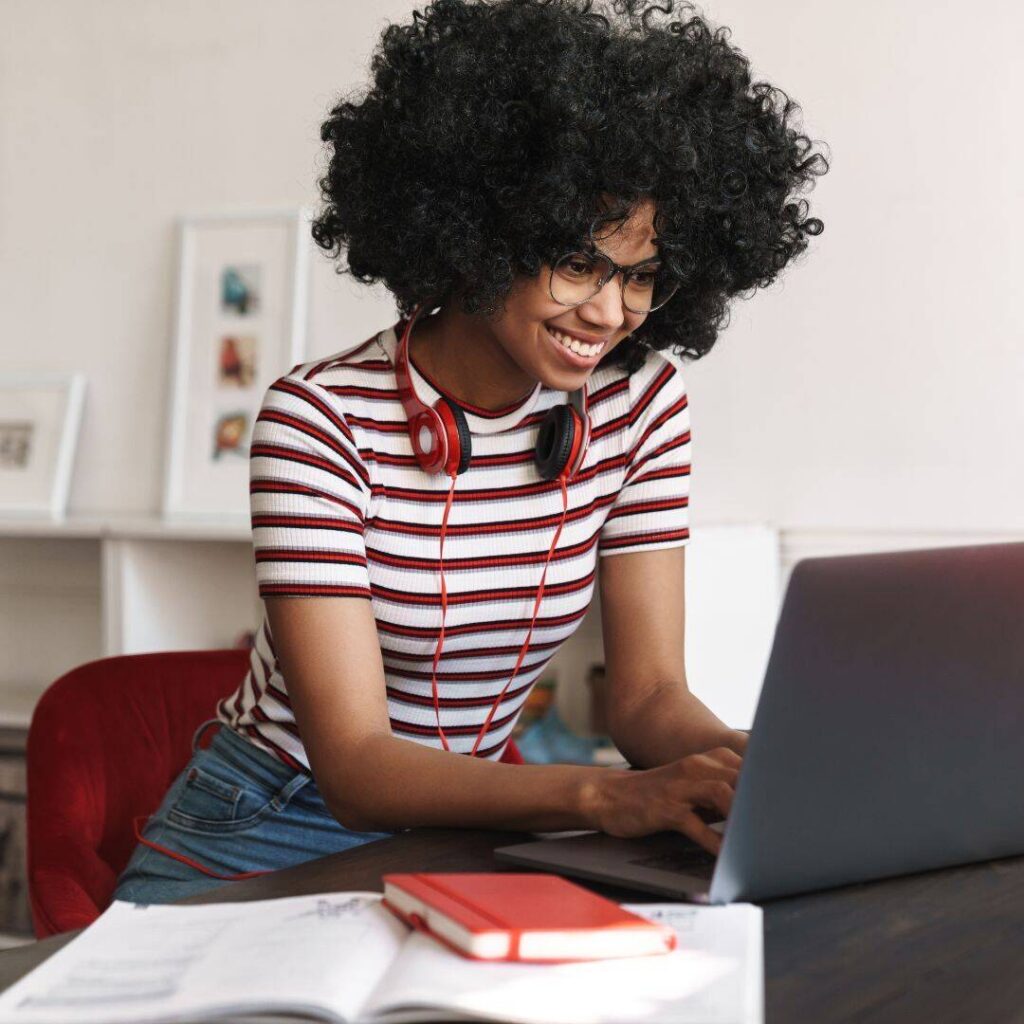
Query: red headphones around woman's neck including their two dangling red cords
442, 443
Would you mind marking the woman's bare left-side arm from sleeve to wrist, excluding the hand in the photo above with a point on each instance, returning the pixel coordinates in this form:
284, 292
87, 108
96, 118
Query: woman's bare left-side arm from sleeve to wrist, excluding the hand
369, 778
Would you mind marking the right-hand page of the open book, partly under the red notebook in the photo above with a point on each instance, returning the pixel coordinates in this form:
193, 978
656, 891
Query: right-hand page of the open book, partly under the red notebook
715, 977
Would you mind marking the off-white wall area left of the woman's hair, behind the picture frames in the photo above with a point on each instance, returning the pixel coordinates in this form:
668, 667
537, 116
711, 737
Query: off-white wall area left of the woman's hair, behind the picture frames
116, 116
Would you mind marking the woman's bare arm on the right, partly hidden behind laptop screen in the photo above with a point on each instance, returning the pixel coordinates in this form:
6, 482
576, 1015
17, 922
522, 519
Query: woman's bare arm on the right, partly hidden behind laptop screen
654, 718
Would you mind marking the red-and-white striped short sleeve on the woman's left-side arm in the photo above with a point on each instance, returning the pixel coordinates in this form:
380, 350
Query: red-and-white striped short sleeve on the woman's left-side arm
309, 494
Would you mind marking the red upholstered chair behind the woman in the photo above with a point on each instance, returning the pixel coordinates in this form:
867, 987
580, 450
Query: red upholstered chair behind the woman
107, 740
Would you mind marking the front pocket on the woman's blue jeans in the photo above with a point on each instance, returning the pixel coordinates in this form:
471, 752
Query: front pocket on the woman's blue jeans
217, 798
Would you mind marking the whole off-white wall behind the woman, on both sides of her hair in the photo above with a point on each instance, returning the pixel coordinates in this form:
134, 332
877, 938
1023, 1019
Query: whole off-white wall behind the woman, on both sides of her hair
879, 387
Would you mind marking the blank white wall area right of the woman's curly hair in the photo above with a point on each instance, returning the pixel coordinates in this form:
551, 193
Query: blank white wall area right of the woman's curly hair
881, 386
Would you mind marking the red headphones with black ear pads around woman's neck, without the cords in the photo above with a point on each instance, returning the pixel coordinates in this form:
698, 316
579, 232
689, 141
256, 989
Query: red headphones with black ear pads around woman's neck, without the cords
441, 438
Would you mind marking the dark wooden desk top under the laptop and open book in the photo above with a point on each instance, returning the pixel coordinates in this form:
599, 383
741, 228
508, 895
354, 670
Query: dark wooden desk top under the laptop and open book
944, 948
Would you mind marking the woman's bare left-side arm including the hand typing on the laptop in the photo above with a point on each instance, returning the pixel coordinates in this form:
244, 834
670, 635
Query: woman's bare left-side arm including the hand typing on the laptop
371, 780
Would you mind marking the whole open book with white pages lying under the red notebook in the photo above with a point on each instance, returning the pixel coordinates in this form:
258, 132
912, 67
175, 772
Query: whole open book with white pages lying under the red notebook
345, 958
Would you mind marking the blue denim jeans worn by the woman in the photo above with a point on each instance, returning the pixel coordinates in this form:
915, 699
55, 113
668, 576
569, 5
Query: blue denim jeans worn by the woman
234, 808
